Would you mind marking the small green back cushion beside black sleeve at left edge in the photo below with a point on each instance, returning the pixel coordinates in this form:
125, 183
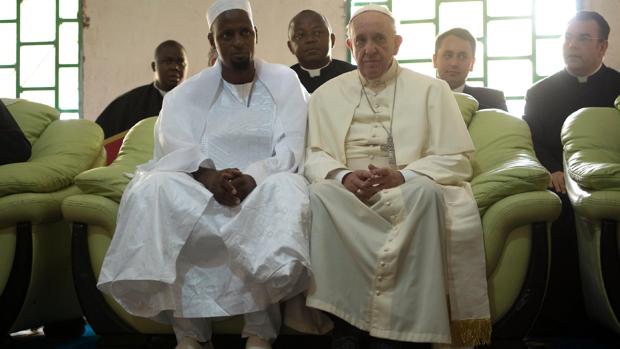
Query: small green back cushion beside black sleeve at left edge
32, 117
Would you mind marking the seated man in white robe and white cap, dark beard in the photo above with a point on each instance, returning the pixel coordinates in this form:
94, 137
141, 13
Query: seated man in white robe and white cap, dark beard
216, 224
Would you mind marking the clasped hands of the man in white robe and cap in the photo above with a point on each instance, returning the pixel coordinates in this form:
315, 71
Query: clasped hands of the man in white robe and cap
228, 186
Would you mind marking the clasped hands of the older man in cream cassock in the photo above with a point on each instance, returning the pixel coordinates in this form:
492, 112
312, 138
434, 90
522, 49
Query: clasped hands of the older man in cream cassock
366, 183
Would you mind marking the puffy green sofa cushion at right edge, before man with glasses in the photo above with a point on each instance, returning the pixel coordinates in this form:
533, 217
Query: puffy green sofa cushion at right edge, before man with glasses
592, 148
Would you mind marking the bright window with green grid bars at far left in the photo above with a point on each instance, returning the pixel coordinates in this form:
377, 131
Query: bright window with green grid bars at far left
40, 60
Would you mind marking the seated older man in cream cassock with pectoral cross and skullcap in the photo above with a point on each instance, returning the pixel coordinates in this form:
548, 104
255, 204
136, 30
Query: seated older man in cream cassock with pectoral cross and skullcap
396, 242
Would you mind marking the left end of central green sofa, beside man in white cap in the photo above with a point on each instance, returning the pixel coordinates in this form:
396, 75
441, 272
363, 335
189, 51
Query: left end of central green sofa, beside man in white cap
93, 214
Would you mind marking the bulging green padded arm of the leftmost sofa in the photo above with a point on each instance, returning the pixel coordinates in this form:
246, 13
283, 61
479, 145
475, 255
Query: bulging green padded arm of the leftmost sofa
64, 149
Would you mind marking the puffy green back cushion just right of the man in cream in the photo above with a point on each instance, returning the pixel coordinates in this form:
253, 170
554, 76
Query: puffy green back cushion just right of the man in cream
504, 163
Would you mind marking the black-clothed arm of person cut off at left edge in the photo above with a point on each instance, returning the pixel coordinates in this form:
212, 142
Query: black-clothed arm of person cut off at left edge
14, 144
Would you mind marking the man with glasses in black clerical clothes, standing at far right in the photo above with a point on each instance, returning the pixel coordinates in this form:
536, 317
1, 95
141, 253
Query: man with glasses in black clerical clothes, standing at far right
584, 82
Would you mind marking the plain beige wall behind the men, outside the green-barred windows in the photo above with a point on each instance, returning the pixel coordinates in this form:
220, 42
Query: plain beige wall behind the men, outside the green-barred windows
121, 37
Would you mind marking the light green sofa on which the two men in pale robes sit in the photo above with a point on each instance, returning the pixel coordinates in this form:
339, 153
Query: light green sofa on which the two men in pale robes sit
509, 186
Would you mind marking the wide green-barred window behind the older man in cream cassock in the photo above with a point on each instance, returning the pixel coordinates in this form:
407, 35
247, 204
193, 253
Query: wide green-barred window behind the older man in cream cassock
519, 42
